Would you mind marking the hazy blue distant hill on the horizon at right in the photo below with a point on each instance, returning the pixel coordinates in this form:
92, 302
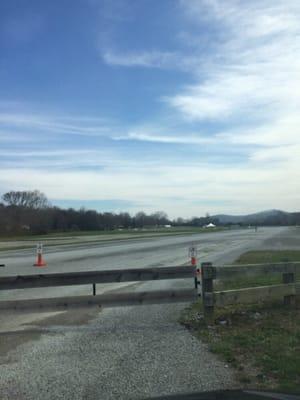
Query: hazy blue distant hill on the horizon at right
258, 218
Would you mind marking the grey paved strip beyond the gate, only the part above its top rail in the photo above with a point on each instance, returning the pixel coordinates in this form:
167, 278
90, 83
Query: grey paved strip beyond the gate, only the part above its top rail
135, 252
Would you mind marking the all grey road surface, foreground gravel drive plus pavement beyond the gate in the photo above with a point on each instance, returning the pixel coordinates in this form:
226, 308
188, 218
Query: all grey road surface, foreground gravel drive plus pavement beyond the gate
121, 353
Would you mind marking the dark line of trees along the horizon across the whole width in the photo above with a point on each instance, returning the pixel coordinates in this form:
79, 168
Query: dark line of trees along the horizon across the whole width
30, 212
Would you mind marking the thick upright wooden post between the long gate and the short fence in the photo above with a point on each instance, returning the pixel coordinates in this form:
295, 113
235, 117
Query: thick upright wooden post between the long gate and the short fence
208, 273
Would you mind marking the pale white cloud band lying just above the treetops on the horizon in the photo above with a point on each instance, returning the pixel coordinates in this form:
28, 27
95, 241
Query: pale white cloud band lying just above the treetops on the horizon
182, 190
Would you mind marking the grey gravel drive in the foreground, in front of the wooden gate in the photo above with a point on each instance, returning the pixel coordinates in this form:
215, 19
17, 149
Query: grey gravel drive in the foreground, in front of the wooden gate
124, 353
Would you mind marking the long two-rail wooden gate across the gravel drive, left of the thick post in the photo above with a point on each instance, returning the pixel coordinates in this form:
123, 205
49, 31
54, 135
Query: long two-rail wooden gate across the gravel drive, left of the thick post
94, 277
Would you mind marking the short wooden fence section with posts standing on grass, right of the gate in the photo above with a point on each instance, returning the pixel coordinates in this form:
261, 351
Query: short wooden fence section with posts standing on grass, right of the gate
289, 290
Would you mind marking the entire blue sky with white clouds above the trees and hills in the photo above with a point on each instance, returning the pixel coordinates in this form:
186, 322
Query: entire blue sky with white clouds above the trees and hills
186, 106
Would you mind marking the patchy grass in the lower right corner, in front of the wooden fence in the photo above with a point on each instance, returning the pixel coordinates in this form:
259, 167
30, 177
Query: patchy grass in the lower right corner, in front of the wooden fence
261, 342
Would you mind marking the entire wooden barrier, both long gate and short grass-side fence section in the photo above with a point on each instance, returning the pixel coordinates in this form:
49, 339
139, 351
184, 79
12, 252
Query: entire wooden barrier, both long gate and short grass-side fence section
288, 290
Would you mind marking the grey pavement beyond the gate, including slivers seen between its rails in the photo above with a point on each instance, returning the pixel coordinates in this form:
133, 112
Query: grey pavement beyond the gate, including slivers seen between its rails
221, 247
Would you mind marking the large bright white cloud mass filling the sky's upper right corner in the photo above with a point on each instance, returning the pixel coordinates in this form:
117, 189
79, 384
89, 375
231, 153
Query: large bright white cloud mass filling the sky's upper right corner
257, 65
